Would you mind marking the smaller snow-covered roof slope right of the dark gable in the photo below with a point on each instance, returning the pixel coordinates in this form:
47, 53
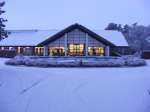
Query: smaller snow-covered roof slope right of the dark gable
114, 37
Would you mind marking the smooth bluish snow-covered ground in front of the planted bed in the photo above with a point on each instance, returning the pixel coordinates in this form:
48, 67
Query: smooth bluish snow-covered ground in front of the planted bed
28, 89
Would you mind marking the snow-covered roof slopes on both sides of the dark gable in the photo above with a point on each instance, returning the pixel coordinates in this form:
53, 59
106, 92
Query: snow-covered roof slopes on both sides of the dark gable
34, 37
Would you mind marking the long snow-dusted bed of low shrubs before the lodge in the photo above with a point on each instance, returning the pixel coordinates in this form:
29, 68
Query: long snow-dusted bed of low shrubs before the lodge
77, 62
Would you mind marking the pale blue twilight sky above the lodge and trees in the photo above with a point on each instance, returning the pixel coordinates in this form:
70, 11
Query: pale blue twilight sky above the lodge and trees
57, 14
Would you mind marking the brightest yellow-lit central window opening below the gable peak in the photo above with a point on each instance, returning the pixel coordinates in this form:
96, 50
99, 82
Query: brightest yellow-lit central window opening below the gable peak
76, 49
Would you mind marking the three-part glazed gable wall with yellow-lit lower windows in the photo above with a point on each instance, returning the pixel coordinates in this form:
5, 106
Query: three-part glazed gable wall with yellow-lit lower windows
76, 45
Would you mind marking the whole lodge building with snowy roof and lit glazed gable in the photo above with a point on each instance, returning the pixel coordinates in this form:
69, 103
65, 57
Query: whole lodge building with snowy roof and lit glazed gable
75, 40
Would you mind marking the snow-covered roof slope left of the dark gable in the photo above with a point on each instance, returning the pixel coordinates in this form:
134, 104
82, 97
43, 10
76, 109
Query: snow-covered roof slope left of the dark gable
27, 37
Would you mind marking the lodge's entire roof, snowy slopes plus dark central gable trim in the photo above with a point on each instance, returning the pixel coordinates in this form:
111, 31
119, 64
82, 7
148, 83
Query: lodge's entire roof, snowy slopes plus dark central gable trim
43, 37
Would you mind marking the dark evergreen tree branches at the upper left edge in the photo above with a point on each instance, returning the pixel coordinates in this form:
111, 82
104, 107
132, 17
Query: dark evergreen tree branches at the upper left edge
3, 32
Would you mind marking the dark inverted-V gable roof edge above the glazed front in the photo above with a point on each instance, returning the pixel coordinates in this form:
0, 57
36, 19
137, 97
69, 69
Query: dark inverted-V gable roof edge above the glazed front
72, 27
